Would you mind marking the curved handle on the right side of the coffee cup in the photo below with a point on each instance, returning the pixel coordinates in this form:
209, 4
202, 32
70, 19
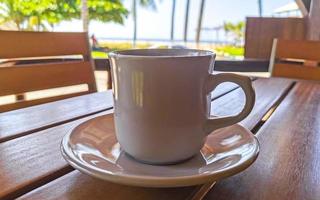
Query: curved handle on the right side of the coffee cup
245, 83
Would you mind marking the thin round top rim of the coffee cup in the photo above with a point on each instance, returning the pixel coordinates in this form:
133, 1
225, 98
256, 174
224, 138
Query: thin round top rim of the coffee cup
183, 53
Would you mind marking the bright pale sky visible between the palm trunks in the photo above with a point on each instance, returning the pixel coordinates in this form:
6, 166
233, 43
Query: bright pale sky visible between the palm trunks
157, 24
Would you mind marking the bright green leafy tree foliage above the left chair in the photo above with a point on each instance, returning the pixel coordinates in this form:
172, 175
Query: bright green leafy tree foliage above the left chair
39, 14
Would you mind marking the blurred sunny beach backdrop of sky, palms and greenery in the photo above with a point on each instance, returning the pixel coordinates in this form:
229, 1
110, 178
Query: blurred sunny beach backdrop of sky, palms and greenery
122, 24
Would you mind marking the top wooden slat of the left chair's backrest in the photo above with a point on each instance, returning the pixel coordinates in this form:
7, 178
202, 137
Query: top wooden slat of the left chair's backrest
20, 44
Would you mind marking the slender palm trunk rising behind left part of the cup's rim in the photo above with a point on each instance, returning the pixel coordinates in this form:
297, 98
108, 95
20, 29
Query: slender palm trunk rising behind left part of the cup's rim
145, 3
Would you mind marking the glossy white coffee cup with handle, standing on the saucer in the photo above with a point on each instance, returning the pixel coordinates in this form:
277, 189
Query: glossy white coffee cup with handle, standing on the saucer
162, 101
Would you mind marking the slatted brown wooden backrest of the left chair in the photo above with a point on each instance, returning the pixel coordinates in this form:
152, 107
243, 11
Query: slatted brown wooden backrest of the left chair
19, 80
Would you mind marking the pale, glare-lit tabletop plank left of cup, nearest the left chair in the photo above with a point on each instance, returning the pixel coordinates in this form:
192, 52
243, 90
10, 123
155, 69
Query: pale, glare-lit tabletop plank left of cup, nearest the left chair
25, 121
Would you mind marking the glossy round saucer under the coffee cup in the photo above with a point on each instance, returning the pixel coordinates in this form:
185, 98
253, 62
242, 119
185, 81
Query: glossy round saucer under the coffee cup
92, 148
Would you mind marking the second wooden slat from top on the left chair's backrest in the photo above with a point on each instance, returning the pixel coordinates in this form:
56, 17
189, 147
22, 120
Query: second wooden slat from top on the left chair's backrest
27, 78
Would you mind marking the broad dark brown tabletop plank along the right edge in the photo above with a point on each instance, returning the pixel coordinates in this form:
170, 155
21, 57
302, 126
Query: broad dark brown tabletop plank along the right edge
288, 166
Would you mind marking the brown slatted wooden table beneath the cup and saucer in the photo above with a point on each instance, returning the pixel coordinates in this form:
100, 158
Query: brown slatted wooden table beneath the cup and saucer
286, 120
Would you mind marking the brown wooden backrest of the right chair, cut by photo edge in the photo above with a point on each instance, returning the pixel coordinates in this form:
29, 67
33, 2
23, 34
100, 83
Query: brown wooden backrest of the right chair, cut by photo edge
298, 59
